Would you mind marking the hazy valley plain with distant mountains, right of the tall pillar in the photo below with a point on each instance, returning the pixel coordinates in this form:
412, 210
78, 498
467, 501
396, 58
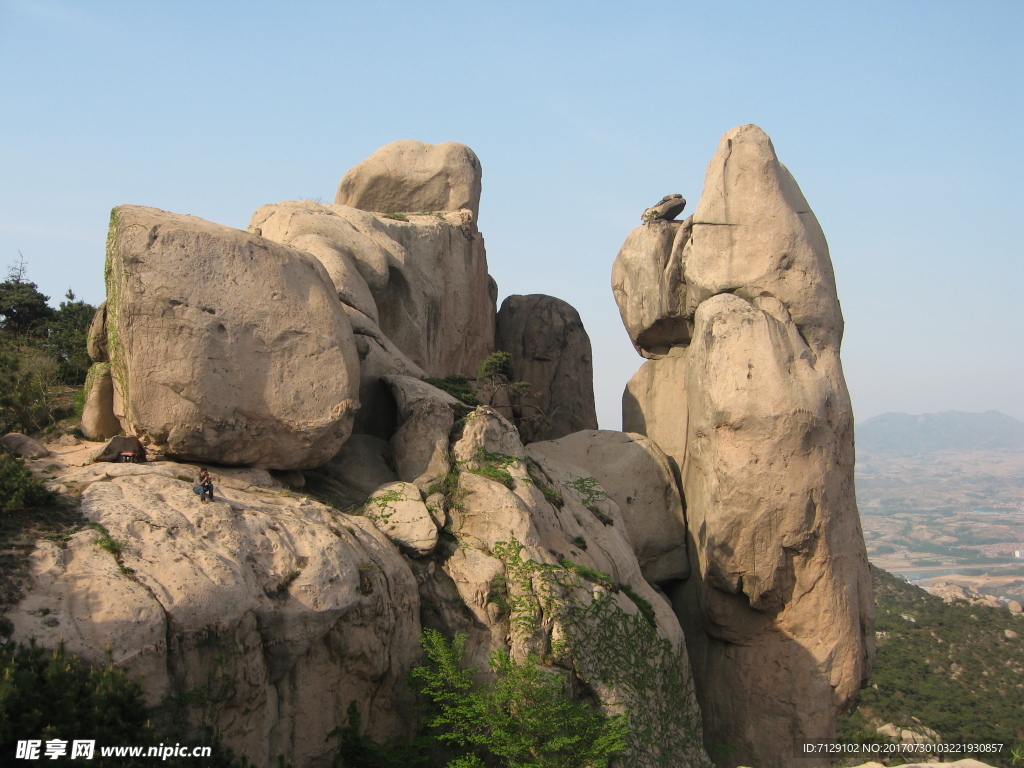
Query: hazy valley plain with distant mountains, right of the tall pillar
942, 498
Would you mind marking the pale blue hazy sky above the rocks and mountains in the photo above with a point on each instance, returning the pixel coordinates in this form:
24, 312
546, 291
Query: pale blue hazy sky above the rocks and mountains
902, 122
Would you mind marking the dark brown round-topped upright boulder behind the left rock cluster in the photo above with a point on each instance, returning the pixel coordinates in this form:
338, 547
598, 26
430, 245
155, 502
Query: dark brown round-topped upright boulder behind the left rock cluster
549, 349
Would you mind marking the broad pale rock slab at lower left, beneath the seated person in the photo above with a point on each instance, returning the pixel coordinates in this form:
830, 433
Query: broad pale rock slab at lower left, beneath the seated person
303, 608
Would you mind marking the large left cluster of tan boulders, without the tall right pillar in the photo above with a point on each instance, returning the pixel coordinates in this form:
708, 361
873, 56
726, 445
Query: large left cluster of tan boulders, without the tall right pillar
258, 350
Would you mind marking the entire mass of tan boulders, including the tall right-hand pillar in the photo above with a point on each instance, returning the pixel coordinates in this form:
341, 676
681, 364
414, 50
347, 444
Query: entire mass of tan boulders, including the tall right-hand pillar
290, 360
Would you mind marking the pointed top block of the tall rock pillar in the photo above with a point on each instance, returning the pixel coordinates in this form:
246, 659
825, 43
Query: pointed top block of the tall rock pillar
754, 235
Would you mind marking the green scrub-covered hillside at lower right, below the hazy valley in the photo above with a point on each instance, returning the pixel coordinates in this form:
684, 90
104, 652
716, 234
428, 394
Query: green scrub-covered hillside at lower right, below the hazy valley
952, 668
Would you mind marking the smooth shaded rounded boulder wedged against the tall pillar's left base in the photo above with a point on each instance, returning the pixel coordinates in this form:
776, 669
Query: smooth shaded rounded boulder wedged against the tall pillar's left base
638, 478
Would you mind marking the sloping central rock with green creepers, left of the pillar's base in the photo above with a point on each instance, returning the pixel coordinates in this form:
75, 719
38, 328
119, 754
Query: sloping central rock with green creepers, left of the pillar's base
492, 516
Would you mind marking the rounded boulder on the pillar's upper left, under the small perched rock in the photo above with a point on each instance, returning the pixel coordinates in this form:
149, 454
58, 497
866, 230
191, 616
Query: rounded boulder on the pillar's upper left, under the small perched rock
649, 286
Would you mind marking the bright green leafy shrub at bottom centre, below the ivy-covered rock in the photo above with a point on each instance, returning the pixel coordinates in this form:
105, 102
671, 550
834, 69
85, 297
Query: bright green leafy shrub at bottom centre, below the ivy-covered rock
526, 719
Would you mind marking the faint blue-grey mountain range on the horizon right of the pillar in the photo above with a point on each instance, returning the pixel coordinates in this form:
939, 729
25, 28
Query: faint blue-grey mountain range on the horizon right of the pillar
904, 434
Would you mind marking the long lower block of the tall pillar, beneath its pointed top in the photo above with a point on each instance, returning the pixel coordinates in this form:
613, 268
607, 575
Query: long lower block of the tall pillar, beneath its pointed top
769, 483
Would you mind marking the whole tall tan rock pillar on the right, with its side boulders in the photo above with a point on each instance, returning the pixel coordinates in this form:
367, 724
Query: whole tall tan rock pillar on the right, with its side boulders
753, 409
